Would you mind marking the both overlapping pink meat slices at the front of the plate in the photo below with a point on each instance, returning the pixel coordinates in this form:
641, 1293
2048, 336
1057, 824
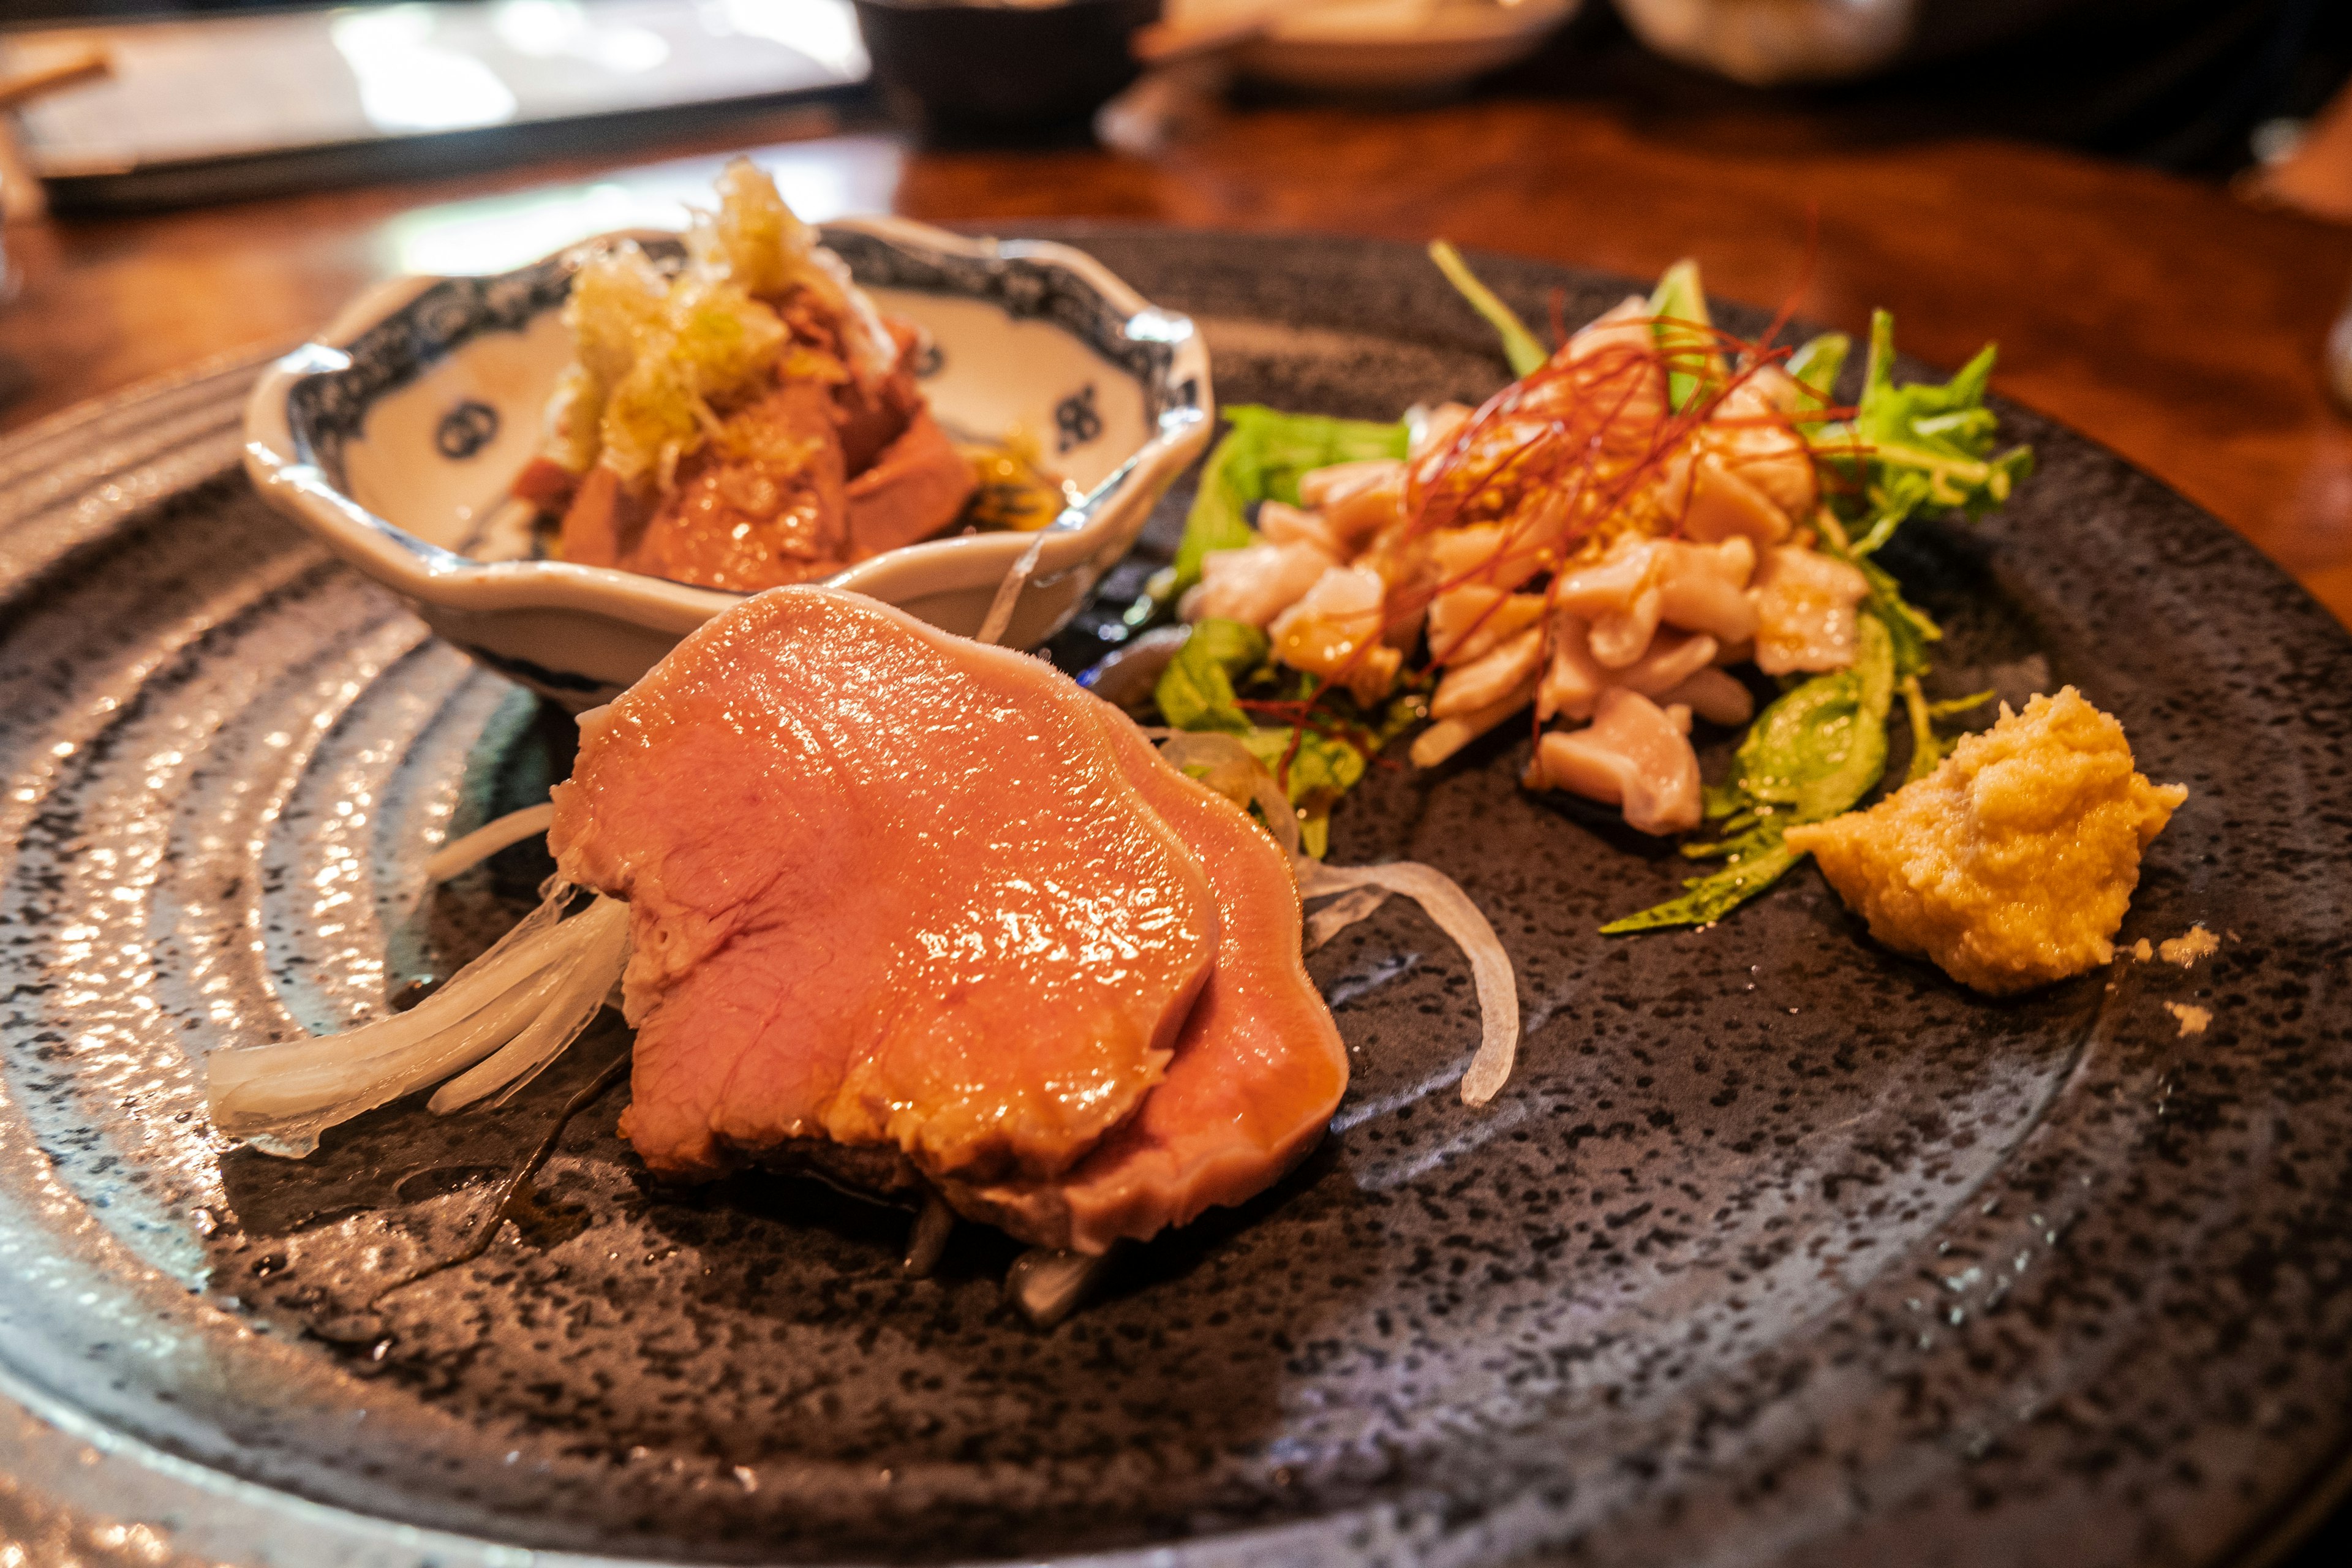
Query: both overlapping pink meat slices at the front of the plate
923, 913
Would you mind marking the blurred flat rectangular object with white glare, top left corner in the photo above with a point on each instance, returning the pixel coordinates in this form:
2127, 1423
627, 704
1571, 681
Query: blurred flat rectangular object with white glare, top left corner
201, 109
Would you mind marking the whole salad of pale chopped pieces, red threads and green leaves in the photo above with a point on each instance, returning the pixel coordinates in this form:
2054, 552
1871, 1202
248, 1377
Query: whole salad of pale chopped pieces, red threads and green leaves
1652, 525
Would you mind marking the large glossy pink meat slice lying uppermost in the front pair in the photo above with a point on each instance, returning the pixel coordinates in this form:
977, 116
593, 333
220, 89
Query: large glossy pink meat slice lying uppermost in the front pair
888, 887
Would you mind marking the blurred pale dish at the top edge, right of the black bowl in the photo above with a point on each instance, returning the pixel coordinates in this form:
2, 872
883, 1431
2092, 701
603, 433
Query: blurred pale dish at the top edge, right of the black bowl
1375, 46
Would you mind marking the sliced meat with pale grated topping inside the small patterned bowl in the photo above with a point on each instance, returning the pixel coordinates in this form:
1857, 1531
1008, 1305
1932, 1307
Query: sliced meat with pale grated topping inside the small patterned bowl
744, 422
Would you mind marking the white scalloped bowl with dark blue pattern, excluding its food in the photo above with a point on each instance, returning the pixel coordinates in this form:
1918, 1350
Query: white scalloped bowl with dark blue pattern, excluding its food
399, 431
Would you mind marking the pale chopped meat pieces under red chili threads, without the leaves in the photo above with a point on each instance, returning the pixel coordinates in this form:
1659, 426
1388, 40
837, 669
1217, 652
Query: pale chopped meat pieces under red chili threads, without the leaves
1575, 547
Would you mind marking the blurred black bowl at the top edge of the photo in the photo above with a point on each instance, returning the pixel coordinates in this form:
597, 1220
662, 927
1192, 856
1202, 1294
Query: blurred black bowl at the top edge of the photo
977, 69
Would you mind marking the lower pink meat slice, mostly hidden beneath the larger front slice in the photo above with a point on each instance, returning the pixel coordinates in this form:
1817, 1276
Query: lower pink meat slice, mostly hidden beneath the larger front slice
1259, 1066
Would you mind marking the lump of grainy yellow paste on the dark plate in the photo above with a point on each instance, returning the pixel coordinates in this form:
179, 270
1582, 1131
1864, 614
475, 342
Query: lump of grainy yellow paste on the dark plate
2014, 862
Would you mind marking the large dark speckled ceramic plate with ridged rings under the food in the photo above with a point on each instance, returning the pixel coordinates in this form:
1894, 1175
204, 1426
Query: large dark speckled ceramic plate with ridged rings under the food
1775, 1252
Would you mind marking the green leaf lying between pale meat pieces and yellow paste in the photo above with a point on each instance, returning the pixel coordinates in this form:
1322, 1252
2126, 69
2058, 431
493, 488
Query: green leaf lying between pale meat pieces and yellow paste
1812, 756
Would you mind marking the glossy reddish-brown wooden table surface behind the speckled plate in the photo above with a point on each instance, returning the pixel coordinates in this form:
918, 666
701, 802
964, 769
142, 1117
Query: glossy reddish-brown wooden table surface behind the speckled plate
2165, 319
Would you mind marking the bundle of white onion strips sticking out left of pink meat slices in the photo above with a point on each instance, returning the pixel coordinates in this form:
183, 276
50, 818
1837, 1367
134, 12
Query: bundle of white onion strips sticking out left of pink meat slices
286, 1094
